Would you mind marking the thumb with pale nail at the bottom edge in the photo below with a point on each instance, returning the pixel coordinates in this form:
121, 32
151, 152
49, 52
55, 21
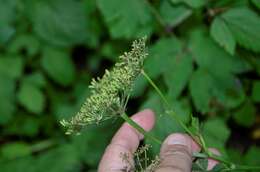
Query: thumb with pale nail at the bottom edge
176, 154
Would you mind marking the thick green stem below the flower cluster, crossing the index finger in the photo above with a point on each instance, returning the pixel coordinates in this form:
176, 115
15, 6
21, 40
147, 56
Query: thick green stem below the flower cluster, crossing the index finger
140, 129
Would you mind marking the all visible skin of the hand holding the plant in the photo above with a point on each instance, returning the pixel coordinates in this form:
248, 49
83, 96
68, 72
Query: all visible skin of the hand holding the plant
176, 150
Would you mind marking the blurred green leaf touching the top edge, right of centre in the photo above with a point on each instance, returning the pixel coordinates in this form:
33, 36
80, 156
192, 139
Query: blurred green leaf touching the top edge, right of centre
174, 15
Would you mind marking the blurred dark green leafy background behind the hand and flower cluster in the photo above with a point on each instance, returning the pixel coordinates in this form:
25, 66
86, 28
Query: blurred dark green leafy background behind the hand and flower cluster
203, 53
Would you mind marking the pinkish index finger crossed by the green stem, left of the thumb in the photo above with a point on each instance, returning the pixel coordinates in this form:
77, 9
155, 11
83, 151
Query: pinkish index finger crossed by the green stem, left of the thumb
124, 143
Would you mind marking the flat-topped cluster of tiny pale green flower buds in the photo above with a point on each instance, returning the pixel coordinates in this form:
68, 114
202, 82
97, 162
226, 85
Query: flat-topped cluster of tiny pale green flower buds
109, 94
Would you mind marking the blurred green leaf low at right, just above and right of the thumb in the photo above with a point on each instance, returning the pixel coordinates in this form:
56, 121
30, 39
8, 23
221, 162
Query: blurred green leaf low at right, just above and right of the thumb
211, 130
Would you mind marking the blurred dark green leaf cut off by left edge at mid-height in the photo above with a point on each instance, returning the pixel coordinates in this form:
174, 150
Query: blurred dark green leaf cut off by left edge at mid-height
7, 98
